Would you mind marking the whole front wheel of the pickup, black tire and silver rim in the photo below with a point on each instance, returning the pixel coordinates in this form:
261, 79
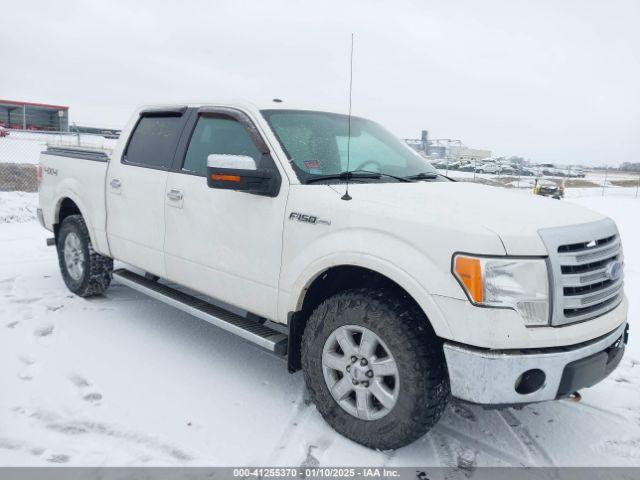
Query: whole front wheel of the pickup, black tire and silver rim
374, 368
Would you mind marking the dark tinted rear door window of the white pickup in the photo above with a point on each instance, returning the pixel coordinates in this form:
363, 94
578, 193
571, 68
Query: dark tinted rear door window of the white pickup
154, 141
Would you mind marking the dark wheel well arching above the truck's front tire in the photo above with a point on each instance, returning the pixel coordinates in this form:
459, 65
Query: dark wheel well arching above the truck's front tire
328, 283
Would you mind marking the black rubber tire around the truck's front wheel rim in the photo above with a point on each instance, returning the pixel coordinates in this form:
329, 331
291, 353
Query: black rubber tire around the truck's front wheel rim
423, 388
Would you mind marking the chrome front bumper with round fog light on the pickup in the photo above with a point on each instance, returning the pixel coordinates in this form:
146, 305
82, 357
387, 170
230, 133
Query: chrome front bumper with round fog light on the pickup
508, 378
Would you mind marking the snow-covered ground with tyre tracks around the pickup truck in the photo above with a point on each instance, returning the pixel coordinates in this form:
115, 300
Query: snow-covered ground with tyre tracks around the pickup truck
125, 380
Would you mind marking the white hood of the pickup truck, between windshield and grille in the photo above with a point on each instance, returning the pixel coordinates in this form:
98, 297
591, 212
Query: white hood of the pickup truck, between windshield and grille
514, 216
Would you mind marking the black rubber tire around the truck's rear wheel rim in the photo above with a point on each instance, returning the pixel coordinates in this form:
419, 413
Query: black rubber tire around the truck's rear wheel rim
96, 273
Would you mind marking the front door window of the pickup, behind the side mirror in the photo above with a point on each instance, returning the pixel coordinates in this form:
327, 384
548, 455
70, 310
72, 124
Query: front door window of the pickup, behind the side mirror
222, 135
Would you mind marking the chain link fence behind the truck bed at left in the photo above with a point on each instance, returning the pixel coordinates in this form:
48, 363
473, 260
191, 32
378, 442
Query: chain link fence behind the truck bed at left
20, 150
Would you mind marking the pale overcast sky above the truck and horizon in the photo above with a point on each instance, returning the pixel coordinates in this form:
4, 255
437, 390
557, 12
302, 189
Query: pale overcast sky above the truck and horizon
554, 81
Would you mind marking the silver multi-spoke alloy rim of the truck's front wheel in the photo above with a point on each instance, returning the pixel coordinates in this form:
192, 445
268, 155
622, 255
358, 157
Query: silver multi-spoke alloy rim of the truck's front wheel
360, 372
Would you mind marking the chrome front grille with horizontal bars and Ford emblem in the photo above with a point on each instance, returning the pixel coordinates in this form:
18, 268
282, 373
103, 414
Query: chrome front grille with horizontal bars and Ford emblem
580, 257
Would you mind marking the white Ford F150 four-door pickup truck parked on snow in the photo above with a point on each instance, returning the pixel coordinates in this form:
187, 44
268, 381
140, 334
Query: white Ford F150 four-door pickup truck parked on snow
394, 287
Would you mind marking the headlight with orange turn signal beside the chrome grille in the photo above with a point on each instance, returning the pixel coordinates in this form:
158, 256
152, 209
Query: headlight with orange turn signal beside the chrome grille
521, 284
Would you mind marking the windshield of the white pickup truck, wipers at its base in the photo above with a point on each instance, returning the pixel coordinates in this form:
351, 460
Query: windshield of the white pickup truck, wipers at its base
316, 144
